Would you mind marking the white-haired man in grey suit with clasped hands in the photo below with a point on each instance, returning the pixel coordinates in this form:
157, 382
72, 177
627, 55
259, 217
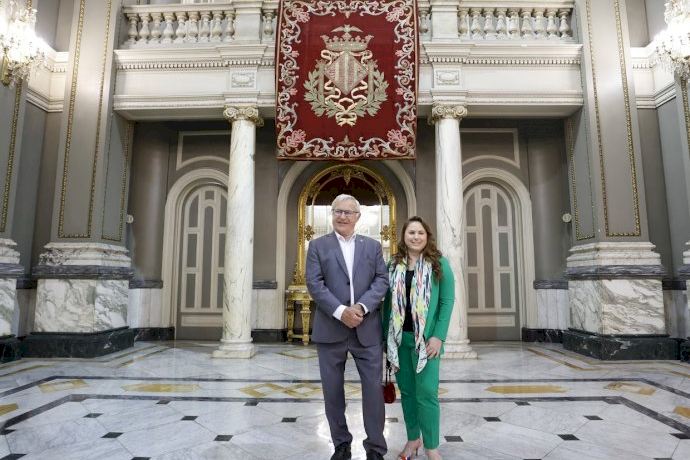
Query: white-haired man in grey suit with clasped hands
347, 279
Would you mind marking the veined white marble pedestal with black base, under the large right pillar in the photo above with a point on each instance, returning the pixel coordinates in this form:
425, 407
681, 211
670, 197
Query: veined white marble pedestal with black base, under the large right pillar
616, 303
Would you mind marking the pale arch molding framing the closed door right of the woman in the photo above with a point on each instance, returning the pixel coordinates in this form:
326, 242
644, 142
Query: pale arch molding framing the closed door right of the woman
525, 234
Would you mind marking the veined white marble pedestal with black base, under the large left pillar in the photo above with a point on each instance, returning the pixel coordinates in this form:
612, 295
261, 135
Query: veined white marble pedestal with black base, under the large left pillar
81, 301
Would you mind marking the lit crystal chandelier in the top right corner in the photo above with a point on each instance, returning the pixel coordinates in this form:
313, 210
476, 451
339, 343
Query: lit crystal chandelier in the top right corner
673, 43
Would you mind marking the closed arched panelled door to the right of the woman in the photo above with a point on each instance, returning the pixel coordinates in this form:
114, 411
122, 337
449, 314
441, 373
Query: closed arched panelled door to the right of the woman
499, 255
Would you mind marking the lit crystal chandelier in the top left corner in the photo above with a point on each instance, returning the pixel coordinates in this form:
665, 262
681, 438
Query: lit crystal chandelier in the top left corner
21, 49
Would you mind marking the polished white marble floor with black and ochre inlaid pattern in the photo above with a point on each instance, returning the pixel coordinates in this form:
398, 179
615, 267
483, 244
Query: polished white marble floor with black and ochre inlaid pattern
173, 401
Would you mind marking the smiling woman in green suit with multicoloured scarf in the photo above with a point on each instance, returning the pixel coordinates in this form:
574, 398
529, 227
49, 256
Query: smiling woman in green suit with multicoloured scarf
416, 315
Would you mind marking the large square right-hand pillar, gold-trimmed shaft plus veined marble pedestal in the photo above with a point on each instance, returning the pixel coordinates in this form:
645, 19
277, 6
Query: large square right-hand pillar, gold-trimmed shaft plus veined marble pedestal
615, 292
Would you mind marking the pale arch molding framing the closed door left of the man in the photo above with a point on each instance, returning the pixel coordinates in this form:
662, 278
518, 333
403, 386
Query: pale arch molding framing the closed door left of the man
173, 211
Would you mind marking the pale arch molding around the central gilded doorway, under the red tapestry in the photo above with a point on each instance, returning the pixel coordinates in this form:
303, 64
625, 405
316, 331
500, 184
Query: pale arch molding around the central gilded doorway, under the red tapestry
293, 174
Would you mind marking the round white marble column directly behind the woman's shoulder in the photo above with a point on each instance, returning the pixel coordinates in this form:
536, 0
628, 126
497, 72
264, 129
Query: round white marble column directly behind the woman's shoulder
449, 219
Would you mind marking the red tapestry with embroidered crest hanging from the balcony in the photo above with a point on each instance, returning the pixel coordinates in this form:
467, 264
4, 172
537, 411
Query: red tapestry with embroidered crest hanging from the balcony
346, 79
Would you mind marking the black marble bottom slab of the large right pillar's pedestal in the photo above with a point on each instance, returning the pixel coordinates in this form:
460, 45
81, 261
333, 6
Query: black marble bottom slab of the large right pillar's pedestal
630, 347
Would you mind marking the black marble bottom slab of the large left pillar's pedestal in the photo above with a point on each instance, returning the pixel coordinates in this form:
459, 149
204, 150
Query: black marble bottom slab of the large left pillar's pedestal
76, 345
